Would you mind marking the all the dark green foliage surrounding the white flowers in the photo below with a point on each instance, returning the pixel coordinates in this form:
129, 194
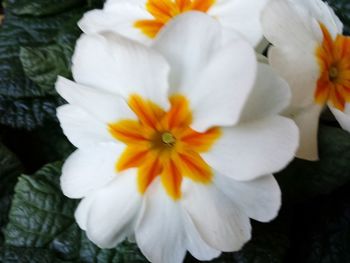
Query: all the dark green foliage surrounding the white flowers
37, 39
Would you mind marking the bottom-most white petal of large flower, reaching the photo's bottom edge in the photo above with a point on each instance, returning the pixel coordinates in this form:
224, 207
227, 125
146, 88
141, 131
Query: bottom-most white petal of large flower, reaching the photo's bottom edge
159, 233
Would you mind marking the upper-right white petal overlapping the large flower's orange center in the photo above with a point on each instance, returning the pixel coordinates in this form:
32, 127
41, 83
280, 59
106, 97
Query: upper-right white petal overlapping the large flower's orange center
223, 86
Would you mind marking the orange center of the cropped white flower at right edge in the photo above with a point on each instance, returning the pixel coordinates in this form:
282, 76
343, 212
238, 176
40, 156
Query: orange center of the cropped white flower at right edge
334, 61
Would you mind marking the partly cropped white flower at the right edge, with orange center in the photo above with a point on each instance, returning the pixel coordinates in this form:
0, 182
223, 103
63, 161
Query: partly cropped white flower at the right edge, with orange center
311, 53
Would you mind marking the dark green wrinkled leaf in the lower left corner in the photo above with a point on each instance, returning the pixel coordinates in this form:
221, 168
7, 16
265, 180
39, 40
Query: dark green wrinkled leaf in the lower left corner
42, 218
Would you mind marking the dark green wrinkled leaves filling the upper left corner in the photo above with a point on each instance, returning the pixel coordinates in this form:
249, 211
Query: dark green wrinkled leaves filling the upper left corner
33, 50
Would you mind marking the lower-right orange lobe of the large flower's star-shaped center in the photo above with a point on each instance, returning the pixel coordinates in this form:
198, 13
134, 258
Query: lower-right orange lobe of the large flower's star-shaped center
194, 167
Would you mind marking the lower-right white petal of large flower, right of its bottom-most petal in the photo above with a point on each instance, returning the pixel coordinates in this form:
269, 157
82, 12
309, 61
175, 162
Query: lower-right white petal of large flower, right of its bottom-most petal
220, 223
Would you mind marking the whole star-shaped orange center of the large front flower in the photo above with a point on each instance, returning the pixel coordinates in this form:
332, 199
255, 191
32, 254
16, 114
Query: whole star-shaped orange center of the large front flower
162, 144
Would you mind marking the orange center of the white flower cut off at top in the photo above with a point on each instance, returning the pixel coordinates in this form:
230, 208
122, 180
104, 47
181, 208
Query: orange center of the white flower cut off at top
164, 10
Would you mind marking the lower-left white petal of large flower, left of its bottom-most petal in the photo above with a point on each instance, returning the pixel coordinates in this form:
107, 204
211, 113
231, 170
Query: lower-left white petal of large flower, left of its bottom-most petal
114, 211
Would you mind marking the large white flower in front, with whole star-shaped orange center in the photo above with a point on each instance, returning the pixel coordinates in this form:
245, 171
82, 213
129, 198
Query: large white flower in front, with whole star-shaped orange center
175, 147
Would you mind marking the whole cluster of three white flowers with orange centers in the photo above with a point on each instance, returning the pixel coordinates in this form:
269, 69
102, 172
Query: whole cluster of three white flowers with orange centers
179, 128
